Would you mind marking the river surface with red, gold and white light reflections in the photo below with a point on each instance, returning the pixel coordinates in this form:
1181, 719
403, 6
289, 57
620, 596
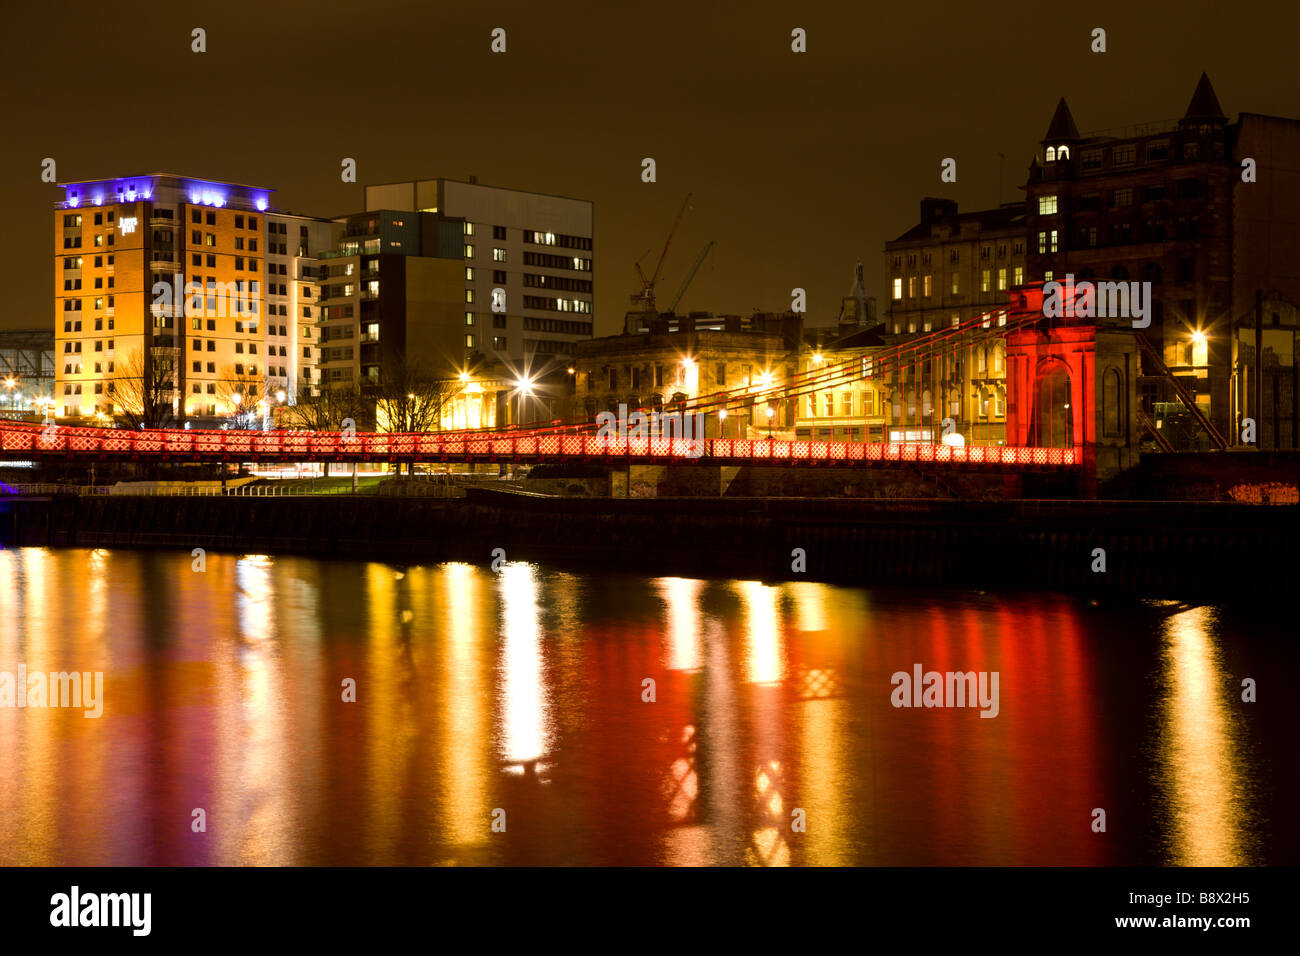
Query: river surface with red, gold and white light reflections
522, 691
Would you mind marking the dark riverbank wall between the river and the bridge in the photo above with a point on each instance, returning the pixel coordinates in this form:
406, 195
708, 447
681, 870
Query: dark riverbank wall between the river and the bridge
1156, 550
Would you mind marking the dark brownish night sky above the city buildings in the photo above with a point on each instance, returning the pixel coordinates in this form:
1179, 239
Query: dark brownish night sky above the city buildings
800, 165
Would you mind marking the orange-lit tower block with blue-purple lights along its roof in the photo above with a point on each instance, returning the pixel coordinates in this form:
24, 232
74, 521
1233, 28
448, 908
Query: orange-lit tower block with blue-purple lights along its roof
158, 296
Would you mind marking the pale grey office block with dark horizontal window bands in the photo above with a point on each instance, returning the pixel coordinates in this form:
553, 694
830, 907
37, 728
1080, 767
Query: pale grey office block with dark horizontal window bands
538, 249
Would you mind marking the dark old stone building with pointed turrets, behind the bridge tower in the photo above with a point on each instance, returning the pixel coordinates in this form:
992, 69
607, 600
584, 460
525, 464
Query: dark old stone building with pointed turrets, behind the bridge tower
1208, 213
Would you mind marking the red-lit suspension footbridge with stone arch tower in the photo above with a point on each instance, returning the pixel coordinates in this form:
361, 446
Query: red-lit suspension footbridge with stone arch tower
1050, 419
